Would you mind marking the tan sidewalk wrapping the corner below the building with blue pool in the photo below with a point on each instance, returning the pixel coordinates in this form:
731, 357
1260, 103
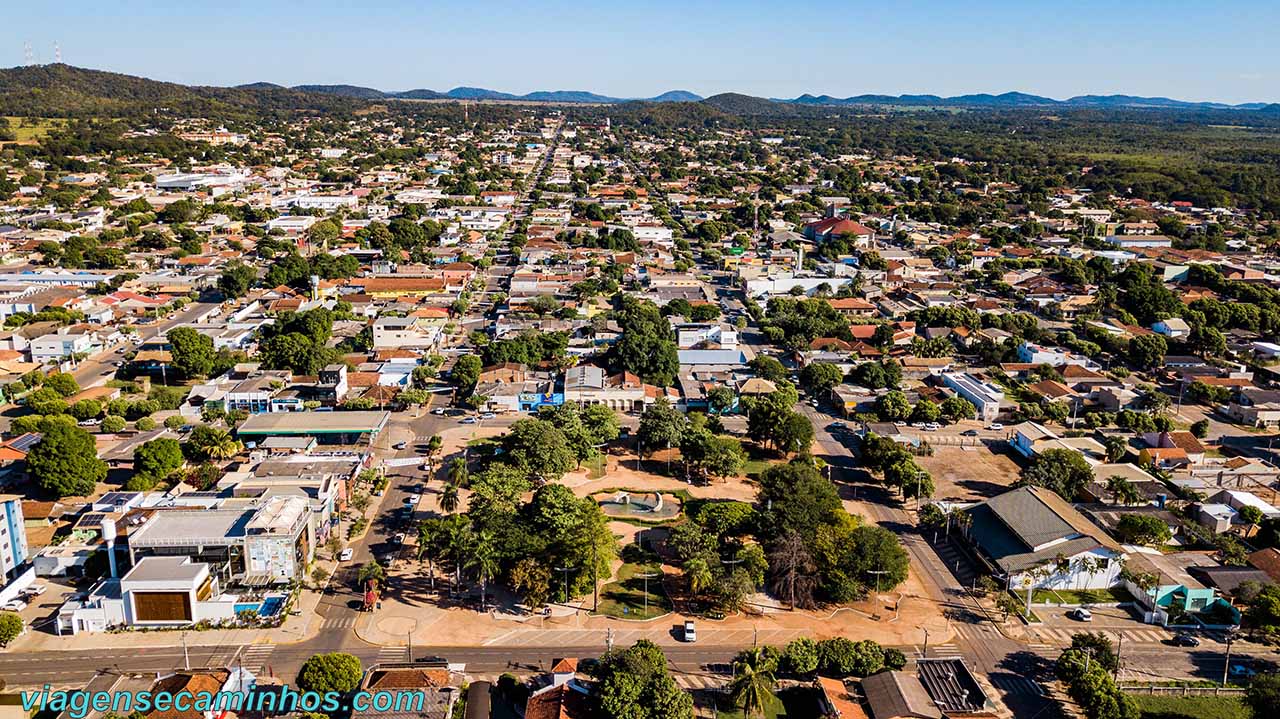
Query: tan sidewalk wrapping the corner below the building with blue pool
299, 629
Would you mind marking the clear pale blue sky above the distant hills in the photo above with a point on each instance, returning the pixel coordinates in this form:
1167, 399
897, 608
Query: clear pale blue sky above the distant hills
1226, 51
